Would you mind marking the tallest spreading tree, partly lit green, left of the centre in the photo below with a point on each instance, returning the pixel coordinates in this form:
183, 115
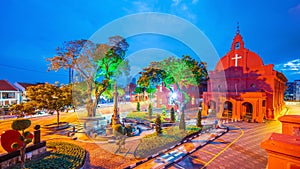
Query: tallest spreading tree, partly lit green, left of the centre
97, 65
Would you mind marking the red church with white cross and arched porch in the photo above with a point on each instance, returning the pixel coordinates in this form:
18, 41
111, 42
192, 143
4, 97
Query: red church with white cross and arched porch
241, 87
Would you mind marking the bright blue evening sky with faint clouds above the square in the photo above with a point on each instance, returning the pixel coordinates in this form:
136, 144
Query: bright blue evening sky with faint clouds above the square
32, 29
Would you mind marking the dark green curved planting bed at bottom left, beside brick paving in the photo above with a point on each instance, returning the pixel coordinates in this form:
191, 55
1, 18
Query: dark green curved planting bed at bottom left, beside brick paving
63, 156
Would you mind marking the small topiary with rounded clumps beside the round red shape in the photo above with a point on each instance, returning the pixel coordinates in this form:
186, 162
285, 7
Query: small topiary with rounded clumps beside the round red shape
21, 125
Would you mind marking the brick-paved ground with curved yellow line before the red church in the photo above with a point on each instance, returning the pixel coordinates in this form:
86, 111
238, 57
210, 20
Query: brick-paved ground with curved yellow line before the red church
238, 148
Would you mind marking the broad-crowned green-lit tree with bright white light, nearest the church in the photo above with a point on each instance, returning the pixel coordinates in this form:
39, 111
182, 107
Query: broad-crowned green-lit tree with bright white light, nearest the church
182, 72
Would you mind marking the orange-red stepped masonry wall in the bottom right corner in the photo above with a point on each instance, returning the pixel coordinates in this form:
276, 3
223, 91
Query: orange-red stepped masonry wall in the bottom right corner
284, 149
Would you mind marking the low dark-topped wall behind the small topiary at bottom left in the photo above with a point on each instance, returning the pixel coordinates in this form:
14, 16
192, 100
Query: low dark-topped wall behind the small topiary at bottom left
13, 158
